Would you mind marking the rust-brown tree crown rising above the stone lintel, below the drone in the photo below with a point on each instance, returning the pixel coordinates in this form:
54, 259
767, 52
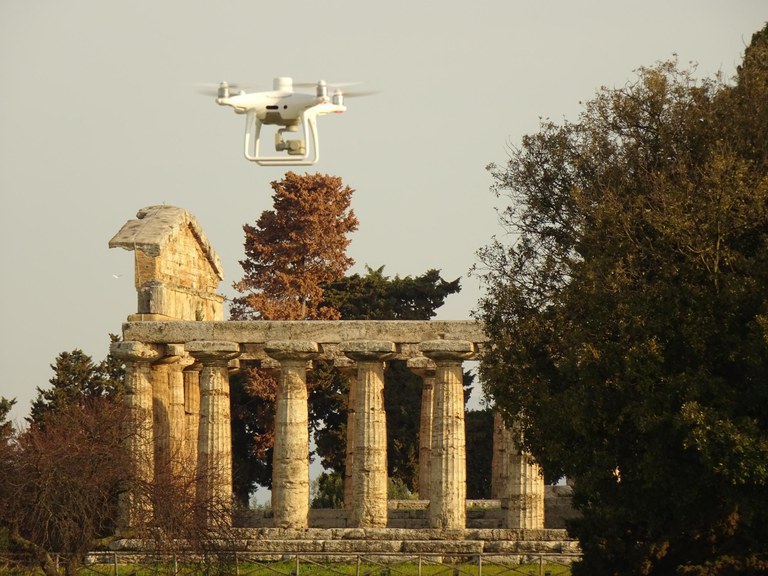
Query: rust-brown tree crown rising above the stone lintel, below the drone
294, 249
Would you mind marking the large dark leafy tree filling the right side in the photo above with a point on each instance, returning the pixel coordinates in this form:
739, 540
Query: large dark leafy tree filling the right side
628, 318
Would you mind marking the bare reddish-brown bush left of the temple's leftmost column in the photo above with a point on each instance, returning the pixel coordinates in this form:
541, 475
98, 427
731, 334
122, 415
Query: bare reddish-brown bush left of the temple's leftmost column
61, 482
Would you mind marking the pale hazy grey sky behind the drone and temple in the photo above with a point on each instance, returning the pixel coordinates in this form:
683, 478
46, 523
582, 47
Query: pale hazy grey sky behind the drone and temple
99, 117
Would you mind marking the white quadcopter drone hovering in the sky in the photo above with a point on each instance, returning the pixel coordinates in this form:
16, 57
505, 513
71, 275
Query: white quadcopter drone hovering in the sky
288, 110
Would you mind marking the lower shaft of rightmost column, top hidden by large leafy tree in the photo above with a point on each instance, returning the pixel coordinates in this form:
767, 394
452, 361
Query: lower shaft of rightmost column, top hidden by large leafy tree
523, 495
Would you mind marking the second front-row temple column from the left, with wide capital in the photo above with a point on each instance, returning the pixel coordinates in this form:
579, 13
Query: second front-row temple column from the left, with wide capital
214, 448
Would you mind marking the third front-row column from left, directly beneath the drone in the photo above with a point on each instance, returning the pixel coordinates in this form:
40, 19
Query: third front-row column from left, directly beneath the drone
290, 460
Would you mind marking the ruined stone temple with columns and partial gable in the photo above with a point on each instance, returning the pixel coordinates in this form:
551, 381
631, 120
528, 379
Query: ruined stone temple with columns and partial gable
179, 352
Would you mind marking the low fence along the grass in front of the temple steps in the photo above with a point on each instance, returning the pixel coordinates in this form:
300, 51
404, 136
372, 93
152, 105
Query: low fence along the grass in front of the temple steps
240, 563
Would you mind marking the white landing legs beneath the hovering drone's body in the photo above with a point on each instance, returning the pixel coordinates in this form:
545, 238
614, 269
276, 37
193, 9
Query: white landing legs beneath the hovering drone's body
298, 154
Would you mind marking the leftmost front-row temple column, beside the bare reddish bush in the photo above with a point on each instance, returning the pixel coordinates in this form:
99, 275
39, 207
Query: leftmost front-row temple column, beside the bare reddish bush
135, 504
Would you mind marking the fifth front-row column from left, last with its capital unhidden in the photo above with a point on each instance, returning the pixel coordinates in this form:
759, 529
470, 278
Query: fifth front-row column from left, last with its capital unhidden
448, 483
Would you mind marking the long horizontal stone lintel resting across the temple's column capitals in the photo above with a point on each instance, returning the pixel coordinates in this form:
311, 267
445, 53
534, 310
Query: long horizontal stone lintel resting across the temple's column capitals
401, 332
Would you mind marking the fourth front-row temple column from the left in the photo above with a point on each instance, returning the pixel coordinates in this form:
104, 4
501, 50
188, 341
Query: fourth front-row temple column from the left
369, 474
